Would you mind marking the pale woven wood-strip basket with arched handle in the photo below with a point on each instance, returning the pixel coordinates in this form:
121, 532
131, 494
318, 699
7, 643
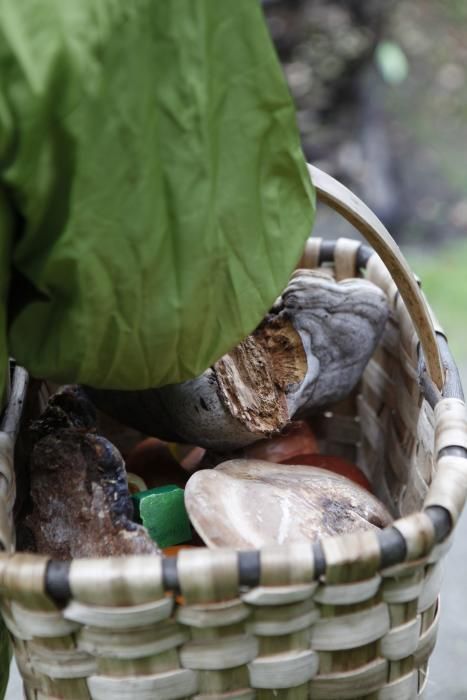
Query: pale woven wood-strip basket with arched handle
349, 617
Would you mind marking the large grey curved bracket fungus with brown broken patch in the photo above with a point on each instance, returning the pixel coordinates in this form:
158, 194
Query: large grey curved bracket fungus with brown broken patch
310, 350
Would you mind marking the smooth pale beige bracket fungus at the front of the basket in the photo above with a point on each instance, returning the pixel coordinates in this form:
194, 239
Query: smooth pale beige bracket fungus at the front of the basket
250, 504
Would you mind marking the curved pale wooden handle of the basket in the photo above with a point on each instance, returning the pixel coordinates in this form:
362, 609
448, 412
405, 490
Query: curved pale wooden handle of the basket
343, 201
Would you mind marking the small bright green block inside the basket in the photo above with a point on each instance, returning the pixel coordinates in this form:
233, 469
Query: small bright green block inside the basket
162, 512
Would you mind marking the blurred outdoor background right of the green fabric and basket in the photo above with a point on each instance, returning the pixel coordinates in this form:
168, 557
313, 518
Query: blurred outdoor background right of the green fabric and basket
380, 88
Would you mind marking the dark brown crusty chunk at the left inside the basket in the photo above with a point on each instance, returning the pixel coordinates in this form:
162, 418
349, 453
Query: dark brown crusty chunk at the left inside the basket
80, 503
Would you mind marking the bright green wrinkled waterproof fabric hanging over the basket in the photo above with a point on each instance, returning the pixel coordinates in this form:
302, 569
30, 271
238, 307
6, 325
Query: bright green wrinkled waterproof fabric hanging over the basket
154, 195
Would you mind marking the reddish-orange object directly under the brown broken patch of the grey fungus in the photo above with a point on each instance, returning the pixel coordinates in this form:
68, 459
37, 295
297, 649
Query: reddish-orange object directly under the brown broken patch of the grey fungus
296, 439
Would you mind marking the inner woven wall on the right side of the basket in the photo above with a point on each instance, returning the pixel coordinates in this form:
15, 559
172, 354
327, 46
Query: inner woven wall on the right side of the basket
386, 426
